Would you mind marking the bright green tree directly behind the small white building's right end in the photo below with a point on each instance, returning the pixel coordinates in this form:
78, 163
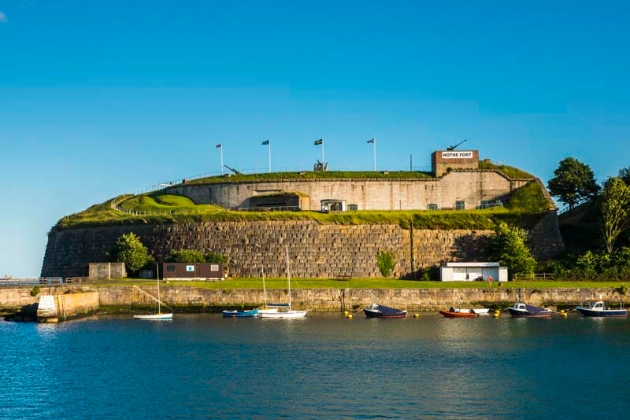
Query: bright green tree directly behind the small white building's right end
508, 246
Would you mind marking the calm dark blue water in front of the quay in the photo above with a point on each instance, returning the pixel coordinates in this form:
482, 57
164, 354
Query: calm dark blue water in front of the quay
325, 366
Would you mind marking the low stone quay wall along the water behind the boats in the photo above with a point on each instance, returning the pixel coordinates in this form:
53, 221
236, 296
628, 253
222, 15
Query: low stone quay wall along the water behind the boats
193, 299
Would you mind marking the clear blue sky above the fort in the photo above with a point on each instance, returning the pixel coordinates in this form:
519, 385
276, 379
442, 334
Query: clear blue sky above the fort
103, 98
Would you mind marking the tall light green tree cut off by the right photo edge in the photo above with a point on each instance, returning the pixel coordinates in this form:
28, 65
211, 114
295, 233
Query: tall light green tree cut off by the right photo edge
615, 210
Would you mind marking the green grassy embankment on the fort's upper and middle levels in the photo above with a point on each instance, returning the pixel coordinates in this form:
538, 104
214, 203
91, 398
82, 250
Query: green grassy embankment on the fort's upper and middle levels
523, 209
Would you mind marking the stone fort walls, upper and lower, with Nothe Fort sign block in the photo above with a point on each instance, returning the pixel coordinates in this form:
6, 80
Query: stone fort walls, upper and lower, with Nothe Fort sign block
321, 250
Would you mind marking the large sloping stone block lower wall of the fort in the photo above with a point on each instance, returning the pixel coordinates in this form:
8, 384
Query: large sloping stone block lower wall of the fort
315, 250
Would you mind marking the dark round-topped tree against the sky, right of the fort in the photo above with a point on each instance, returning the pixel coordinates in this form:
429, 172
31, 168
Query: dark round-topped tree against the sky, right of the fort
573, 182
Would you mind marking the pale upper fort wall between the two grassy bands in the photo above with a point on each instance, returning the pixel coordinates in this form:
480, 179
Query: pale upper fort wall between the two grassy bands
470, 186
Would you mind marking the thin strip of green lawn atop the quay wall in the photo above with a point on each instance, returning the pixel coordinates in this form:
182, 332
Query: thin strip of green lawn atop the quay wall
281, 283
